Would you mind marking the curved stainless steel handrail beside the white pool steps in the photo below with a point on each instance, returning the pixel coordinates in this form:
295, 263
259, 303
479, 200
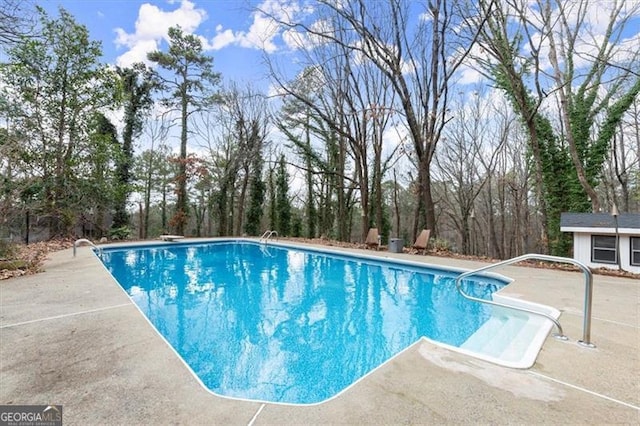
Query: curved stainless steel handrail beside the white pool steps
586, 334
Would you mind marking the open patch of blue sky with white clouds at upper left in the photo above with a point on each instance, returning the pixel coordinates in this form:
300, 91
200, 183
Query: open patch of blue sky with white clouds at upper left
231, 31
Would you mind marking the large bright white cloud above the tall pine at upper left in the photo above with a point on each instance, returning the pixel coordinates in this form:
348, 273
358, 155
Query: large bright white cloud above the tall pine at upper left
152, 26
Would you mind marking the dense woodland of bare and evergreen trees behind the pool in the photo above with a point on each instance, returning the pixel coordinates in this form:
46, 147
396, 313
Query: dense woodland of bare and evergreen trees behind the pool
374, 127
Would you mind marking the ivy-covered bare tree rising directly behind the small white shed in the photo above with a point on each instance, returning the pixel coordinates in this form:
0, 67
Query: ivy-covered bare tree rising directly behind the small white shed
571, 43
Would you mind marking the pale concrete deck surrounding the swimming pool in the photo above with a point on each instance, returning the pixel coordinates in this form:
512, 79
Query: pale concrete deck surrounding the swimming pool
71, 336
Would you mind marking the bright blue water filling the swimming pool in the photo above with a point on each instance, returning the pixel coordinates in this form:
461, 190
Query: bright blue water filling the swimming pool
290, 325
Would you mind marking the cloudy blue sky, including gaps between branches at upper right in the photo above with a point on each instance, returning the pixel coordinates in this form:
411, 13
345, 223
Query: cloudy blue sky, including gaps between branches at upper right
238, 35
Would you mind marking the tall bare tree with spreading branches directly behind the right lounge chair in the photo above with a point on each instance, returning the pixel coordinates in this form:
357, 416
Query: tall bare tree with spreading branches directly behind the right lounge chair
419, 63
